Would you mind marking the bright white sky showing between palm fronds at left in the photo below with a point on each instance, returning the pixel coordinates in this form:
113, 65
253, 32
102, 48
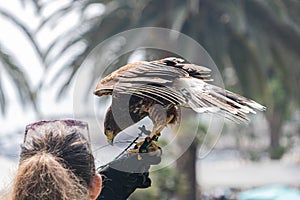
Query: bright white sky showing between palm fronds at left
16, 43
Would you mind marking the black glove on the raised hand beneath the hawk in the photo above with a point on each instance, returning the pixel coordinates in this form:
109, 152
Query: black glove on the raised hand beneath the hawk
123, 176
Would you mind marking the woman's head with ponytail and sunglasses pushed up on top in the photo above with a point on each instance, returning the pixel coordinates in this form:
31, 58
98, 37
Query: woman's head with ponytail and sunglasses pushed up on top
56, 162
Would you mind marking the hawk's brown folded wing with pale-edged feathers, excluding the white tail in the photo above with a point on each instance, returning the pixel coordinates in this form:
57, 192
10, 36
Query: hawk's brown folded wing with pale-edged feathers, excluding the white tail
151, 79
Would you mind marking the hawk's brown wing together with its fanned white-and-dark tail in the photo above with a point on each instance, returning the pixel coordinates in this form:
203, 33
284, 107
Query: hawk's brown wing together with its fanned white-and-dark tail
178, 83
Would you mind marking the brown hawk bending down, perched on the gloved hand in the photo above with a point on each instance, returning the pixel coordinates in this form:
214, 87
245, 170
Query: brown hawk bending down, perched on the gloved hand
157, 89
